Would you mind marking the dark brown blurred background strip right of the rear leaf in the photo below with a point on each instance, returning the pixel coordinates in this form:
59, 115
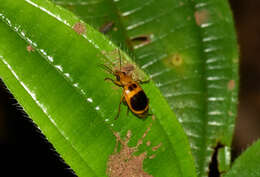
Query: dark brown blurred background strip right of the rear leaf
246, 14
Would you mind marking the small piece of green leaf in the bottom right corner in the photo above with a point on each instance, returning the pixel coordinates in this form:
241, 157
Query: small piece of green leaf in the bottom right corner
247, 164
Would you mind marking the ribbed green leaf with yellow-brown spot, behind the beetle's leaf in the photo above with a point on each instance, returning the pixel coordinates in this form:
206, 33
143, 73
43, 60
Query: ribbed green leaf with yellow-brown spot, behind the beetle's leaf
189, 49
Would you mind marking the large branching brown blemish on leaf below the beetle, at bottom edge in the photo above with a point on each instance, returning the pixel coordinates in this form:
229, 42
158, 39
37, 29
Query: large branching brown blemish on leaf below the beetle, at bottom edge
124, 163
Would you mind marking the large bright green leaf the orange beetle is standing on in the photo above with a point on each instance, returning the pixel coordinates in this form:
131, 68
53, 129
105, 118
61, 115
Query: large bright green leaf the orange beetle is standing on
49, 61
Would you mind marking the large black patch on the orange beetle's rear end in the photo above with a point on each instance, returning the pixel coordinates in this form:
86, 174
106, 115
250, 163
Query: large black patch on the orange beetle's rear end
139, 101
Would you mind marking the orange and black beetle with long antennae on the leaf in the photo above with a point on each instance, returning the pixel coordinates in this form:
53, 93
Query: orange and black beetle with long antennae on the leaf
133, 94
